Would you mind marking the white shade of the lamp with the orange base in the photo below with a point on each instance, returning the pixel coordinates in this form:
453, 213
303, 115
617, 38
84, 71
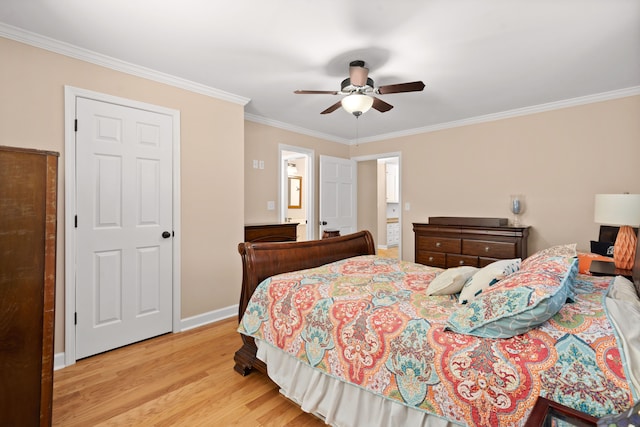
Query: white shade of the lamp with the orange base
617, 209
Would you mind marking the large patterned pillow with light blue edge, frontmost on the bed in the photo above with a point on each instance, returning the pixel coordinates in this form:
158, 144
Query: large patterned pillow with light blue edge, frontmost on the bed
517, 304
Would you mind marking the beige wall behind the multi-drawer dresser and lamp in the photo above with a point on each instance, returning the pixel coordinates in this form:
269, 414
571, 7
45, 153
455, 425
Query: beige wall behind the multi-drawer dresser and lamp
558, 159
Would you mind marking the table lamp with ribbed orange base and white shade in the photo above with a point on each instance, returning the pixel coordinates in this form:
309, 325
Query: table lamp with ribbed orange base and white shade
622, 210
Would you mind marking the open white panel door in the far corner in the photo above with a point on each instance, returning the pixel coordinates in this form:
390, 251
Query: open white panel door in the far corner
338, 198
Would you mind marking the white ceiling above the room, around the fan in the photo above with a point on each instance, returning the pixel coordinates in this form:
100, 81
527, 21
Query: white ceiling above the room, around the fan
478, 58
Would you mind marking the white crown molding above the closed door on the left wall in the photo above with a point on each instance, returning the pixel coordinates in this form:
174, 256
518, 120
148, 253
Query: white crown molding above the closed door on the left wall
66, 49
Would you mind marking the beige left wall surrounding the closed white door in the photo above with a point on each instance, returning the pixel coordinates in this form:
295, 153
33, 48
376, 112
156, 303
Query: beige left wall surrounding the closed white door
32, 84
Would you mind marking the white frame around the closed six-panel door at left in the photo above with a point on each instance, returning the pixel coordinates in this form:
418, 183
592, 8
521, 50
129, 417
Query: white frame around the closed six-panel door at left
70, 95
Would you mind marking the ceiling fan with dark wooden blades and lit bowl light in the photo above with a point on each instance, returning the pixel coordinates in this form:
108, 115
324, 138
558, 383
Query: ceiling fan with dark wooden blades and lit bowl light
359, 90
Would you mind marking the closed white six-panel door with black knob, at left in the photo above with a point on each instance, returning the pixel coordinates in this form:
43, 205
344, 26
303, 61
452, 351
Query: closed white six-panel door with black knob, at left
124, 225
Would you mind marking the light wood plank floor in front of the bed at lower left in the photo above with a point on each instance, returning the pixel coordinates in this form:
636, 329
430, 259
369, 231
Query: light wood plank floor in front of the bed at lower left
183, 379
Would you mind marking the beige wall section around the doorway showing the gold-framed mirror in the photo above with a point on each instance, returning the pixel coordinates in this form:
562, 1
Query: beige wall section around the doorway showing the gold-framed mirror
261, 185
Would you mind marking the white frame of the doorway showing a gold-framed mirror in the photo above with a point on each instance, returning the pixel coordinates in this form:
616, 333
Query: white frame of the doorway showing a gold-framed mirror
308, 186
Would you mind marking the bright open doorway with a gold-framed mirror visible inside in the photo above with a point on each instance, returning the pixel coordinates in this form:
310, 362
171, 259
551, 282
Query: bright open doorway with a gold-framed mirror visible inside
296, 195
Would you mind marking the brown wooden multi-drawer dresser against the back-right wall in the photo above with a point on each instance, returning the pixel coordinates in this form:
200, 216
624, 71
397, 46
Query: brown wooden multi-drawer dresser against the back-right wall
448, 246
